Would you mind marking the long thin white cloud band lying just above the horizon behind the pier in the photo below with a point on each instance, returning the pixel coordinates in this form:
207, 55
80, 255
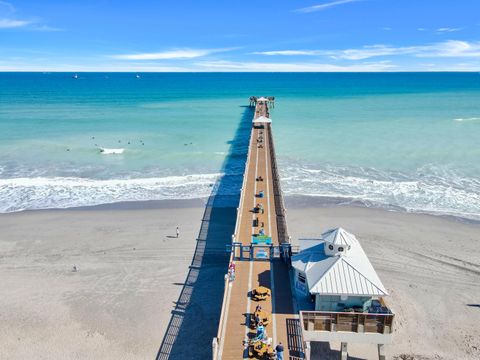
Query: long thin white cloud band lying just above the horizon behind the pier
231, 66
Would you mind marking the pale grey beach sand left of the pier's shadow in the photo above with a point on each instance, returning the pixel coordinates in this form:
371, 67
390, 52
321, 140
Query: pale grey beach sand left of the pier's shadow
117, 306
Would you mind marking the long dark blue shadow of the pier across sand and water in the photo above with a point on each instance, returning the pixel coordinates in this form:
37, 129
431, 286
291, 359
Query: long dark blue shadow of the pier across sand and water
194, 321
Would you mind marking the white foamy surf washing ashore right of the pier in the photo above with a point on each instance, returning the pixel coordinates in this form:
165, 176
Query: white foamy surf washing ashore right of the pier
428, 190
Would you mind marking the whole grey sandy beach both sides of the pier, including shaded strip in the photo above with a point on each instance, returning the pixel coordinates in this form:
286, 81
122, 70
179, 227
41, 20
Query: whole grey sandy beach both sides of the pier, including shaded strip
132, 271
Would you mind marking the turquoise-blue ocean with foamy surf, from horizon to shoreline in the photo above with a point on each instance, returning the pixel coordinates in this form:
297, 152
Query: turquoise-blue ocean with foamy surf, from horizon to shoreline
388, 139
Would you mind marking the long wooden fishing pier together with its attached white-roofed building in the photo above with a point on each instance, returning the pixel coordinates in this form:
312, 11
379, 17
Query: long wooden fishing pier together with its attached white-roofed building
263, 305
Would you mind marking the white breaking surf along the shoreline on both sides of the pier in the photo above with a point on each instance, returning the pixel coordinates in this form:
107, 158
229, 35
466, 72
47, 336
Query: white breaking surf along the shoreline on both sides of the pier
427, 189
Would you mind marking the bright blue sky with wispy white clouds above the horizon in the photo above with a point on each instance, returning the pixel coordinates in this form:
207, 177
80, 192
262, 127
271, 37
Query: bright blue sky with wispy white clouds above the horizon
235, 35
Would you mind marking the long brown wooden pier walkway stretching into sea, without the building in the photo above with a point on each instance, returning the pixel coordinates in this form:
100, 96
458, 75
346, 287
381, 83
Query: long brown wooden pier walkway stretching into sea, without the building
259, 265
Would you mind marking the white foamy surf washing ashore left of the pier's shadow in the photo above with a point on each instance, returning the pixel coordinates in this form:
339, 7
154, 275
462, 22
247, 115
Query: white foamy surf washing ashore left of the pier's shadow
43, 193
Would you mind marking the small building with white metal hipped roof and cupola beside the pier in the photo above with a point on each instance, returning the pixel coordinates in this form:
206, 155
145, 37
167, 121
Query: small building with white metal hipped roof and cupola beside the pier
348, 294
